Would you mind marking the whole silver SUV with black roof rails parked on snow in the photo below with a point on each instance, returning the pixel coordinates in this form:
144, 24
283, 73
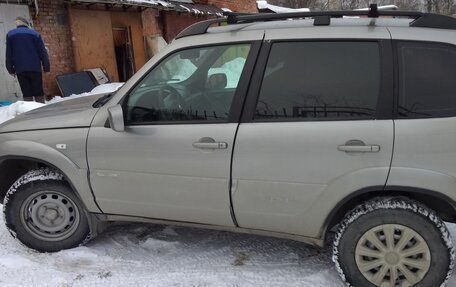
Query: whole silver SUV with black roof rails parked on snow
300, 126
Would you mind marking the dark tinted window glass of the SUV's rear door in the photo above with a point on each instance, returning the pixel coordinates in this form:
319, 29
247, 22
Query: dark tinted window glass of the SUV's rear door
320, 81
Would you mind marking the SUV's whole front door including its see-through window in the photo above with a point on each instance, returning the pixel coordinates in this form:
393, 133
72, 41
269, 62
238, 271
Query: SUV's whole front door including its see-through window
173, 159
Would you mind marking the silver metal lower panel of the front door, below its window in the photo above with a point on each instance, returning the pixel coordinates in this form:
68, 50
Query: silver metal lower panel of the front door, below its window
154, 171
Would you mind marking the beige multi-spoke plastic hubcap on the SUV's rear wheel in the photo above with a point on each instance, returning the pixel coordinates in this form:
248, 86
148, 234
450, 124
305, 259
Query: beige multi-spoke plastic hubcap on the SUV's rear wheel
392, 255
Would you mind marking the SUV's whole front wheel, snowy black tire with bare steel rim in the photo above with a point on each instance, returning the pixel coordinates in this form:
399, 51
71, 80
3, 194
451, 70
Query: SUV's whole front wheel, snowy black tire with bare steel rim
42, 211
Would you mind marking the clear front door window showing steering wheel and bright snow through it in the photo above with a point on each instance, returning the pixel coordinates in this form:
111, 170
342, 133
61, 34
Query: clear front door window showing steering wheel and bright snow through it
195, 84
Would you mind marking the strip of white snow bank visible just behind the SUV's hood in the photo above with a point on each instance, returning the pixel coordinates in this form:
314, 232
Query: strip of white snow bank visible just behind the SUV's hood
20, 107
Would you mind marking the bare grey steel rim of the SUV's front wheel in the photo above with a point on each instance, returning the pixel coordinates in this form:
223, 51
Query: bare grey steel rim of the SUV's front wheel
50, 216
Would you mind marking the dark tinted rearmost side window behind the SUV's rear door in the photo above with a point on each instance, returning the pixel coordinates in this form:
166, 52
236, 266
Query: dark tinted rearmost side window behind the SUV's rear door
427, 80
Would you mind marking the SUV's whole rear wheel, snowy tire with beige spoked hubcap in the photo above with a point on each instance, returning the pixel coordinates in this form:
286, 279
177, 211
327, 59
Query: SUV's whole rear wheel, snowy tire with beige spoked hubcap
356, 250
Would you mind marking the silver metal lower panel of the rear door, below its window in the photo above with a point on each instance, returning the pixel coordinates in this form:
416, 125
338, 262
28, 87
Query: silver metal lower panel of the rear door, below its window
288, 172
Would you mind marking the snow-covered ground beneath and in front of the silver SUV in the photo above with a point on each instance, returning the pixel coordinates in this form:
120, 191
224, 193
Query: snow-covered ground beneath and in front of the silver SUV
131, 254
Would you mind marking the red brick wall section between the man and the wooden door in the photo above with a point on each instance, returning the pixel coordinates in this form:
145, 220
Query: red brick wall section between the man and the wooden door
52, 24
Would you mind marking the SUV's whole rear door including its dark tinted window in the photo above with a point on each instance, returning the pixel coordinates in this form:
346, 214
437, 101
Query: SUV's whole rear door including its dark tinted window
319, 129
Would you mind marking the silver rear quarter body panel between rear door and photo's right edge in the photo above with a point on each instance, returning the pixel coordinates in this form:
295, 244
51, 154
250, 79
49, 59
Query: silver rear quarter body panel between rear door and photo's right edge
424, 155
